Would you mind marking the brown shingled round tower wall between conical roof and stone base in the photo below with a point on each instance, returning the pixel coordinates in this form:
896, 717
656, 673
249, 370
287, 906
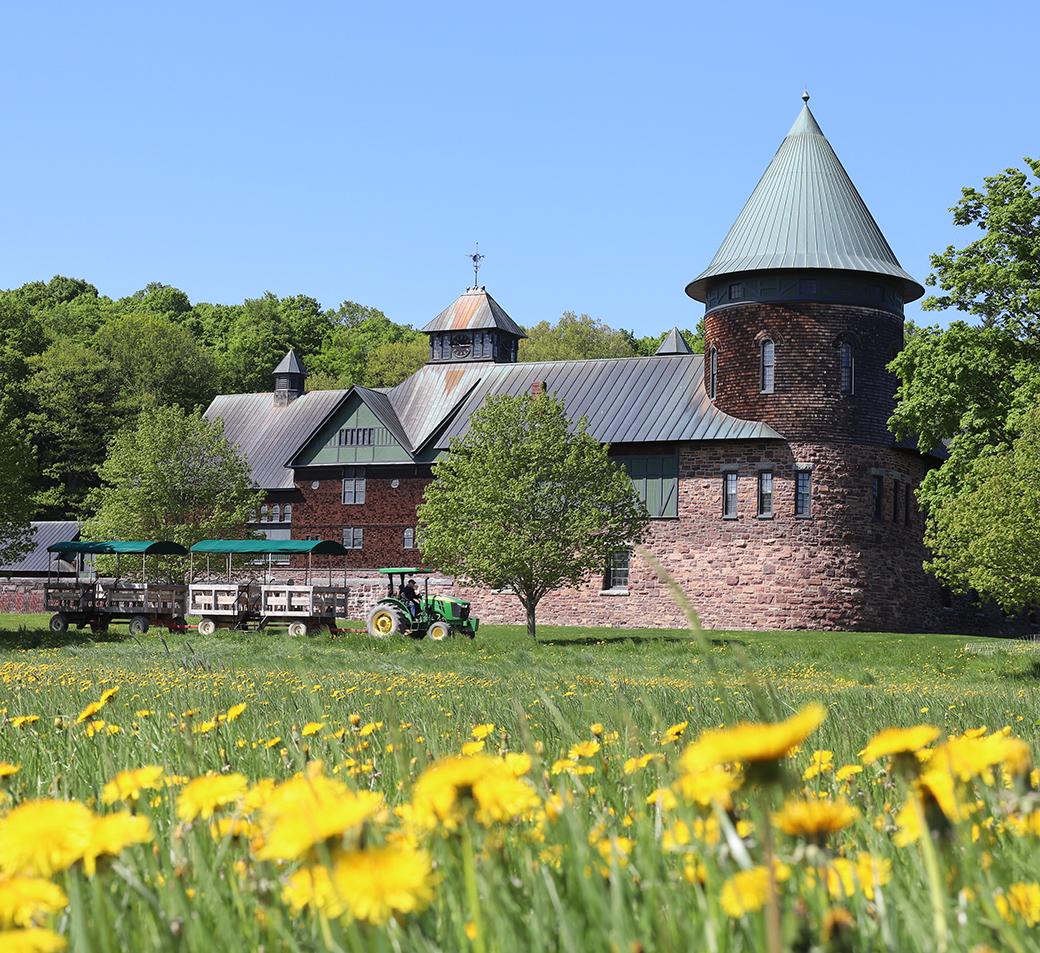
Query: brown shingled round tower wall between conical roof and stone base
807, 403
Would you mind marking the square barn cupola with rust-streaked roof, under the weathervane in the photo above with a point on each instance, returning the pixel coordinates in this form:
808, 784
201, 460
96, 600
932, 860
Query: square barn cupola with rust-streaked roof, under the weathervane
475, 327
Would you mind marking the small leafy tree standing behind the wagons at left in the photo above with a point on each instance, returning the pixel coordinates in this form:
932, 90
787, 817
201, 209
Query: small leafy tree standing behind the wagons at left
174, 477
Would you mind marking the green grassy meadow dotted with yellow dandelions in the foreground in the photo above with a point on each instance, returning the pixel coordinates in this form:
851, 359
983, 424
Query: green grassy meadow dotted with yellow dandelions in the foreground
250, 791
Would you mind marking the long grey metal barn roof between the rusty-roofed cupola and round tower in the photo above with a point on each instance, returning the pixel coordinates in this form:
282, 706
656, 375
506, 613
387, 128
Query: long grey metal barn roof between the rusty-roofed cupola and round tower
626, 400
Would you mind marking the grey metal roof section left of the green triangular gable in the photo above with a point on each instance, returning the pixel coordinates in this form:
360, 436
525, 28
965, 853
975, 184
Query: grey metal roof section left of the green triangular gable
269, 435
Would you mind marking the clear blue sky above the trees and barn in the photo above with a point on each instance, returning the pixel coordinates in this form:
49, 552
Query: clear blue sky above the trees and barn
599, 152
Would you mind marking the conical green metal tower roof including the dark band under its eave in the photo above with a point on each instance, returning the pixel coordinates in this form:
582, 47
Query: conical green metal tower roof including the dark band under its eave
805, 235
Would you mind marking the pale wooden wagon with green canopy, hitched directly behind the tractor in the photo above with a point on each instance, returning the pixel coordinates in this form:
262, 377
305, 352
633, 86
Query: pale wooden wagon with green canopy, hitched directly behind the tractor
307, 600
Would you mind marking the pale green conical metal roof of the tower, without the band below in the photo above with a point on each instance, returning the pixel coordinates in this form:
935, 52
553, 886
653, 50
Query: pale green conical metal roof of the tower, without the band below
805, 214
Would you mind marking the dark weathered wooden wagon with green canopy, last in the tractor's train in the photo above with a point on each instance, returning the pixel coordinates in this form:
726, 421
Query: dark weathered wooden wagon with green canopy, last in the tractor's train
84, 598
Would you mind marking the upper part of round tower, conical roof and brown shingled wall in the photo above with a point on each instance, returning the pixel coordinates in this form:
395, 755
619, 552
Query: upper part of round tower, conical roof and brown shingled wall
804, 302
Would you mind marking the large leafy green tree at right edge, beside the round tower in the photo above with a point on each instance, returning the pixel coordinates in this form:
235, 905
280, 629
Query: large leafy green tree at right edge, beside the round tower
973, 387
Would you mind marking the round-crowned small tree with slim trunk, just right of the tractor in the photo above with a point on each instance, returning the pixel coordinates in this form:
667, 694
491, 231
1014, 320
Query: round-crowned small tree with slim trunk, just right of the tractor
524, 503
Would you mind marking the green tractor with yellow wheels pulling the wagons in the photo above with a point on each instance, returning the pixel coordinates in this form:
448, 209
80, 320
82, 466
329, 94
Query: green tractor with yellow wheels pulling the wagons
434, 616
